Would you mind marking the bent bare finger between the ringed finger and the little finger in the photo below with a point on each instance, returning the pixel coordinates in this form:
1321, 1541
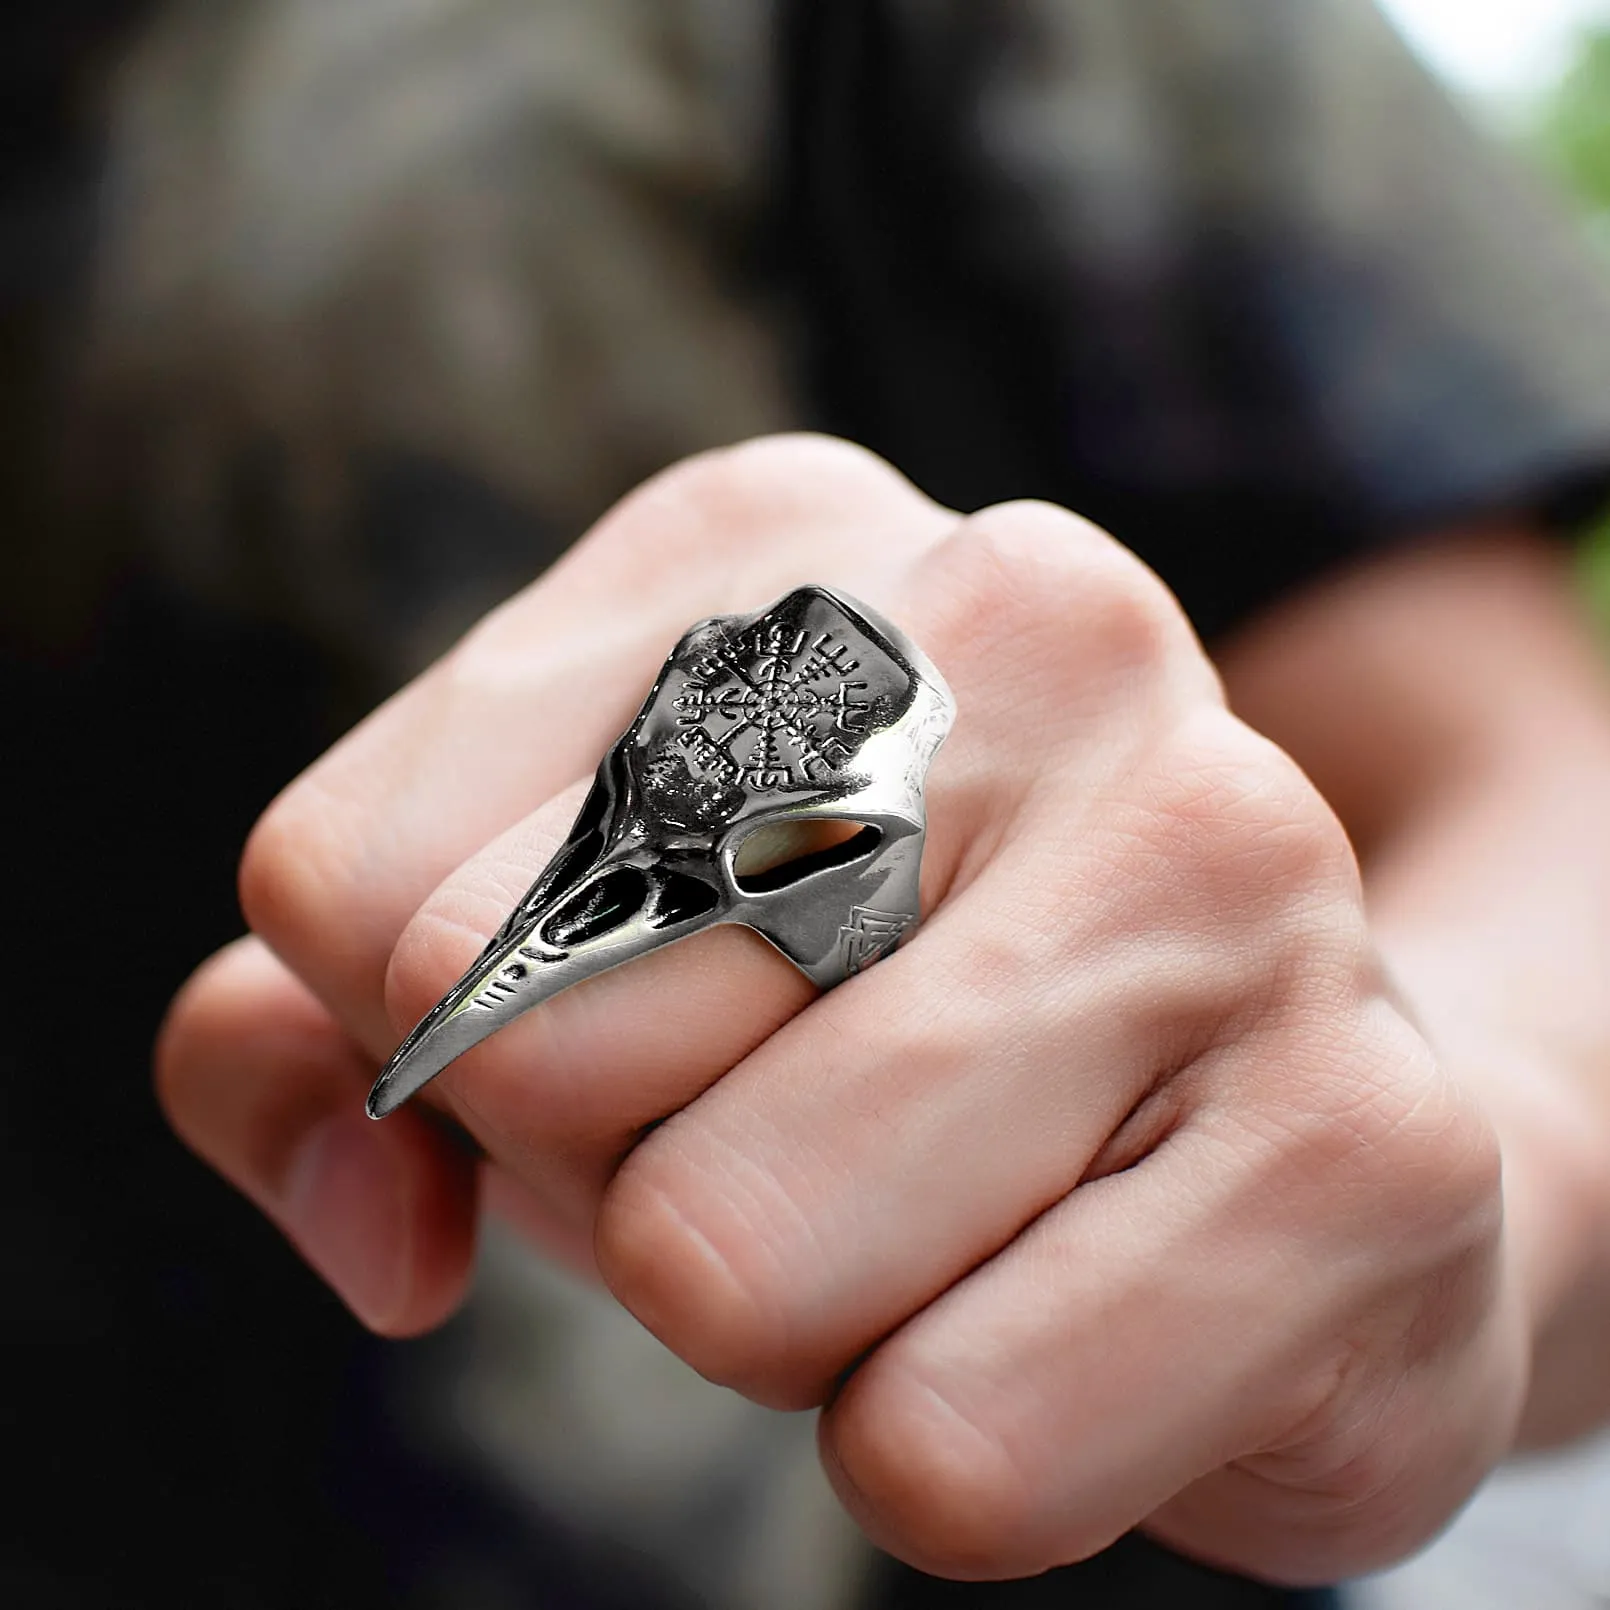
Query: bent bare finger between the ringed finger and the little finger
1030, 1039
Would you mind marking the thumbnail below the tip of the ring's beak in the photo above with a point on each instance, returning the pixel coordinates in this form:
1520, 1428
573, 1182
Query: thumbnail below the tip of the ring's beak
345, 1208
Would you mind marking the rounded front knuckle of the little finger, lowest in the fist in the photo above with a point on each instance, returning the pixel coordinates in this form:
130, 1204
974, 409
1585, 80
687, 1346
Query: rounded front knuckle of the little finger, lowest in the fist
925, 1480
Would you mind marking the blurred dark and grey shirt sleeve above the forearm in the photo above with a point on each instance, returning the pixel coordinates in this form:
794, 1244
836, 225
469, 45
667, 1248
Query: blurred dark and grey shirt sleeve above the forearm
1237, 281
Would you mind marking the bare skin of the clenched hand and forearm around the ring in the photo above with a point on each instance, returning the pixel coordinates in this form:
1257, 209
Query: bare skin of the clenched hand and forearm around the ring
1174, 1173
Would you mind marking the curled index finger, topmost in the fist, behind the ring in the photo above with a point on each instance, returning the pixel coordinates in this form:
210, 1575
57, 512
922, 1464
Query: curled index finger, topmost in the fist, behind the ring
532, 698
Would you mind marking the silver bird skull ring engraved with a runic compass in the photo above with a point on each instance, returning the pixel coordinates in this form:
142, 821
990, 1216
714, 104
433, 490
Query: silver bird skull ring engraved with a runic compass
772, 778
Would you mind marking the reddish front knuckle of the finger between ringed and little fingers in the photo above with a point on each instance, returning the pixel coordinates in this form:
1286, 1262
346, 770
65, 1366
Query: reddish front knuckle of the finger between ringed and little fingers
700, 1281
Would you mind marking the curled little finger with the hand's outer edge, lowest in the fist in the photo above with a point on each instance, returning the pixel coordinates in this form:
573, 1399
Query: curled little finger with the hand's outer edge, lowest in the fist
1212, 1342
